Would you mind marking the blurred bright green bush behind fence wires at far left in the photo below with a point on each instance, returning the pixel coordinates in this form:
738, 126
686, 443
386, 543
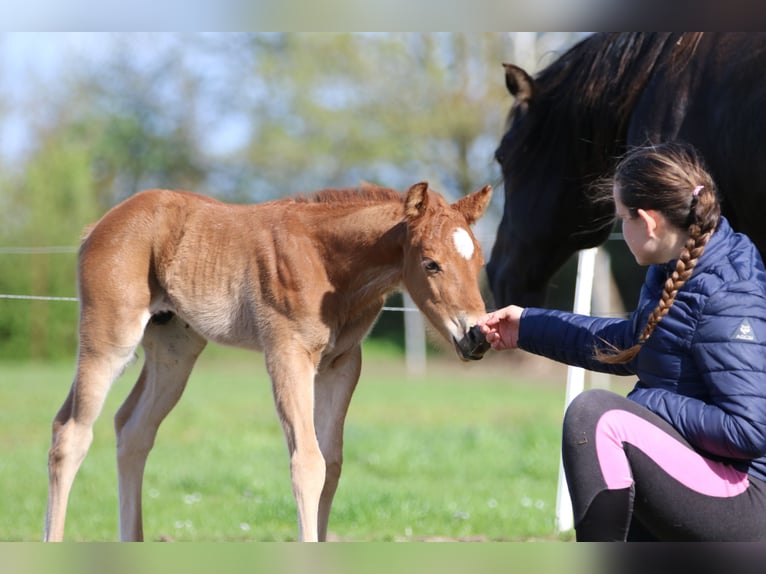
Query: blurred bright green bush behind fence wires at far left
48, 206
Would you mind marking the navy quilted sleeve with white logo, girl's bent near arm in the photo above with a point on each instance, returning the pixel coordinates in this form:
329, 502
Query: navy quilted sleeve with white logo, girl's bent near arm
729, 348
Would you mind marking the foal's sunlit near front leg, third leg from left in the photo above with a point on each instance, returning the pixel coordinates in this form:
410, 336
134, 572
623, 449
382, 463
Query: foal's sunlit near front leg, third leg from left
292, 375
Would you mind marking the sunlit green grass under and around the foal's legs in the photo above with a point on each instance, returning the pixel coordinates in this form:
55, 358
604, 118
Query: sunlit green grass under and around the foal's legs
467, 451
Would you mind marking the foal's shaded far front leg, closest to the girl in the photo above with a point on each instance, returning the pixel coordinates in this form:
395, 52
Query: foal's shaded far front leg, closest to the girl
333, 389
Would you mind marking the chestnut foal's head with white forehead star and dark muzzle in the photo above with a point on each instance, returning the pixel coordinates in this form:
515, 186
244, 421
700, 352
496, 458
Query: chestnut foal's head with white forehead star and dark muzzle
442, 260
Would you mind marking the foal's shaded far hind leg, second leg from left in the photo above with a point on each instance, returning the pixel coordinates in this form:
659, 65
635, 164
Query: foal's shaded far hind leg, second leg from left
171, 349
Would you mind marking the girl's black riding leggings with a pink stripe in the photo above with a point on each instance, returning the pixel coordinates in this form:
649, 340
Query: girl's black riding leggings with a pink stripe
631, 476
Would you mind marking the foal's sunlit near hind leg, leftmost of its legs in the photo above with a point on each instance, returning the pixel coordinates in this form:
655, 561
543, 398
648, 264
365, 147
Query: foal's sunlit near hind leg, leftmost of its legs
103, 354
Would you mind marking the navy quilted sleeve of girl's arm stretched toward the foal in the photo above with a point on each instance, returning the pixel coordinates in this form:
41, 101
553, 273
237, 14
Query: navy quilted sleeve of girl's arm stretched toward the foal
571, 338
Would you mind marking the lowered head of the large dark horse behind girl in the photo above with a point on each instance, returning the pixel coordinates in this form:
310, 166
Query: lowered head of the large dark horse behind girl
548, 215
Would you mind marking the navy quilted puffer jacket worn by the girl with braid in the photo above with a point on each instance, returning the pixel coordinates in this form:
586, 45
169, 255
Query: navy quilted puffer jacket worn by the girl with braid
704, 367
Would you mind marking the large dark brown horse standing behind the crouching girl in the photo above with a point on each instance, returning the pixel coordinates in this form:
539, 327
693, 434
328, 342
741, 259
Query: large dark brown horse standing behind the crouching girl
569, 125
